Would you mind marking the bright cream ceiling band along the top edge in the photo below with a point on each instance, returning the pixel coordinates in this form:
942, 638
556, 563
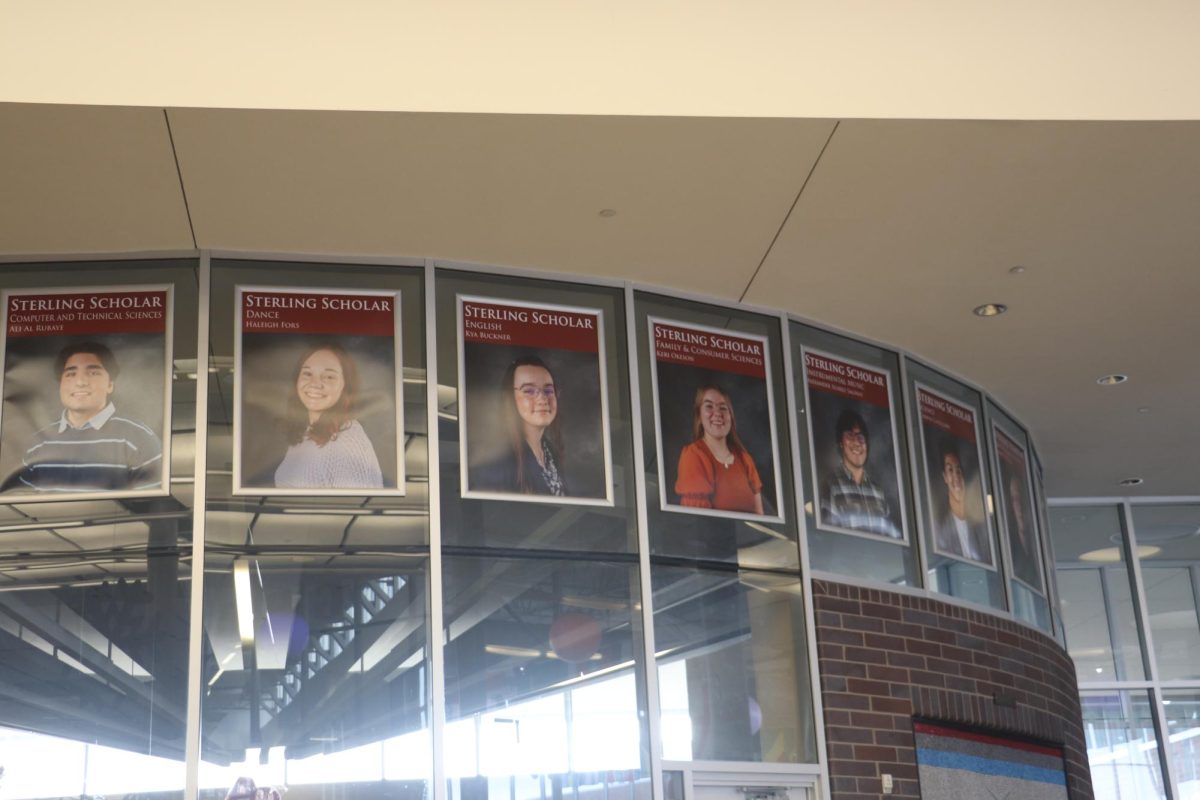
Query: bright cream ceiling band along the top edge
927, 59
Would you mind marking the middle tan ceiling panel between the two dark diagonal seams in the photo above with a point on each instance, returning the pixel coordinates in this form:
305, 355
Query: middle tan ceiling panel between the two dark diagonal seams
698, 201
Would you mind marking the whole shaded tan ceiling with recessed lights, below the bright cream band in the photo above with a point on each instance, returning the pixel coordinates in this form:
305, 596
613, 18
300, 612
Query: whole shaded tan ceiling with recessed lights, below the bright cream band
899, 228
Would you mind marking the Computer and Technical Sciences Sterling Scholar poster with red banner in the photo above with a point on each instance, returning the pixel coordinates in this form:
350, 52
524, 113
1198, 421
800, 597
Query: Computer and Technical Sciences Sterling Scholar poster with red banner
87, 393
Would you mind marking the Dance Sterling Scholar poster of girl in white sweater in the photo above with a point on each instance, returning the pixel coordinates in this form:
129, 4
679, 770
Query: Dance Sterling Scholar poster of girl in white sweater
319, 393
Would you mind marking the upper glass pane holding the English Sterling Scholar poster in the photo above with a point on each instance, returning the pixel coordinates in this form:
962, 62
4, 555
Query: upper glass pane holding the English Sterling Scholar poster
583, 383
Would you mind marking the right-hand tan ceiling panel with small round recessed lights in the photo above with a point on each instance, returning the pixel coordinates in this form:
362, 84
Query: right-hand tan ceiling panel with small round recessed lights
905, 227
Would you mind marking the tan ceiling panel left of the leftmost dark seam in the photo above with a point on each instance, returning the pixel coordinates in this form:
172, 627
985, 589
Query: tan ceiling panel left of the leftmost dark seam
83, 179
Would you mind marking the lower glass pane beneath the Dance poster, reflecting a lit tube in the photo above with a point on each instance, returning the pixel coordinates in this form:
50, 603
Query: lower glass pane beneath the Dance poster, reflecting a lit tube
315, 670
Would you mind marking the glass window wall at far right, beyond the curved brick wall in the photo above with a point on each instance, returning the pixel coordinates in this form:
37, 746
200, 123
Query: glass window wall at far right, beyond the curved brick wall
1130, 580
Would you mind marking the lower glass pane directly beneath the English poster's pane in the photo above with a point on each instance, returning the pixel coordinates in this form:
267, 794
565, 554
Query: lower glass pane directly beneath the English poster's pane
541, 675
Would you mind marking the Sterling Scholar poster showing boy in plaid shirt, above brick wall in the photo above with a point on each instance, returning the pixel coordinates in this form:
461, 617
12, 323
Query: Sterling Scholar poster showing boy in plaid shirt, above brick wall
856, 460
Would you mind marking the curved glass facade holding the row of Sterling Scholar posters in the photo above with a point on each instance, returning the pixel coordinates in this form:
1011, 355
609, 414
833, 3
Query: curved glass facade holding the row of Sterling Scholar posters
465, 533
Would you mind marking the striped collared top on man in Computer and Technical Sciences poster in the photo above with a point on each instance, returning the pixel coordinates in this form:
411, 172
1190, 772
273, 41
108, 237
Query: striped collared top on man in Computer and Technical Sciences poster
107, 453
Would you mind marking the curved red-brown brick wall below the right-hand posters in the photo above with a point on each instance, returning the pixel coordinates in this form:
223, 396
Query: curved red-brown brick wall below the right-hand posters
886, 658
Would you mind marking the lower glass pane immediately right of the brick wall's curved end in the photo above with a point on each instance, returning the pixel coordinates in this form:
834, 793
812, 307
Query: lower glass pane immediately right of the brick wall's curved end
1123, 747
